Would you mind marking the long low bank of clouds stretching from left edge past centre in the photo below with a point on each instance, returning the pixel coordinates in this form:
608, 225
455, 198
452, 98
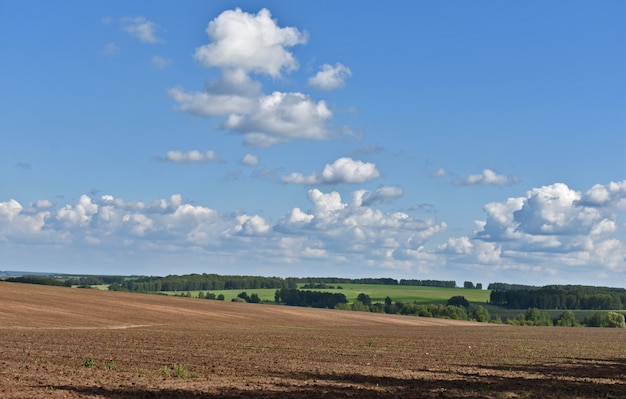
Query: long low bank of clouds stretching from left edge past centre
331, 229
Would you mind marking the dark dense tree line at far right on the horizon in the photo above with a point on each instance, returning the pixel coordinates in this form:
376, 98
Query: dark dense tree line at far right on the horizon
570, 297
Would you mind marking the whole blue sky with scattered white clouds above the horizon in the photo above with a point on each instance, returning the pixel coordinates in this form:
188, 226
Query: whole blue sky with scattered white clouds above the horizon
479, 141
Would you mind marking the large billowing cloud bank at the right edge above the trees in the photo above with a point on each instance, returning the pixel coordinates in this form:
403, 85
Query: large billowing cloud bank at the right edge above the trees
550, 227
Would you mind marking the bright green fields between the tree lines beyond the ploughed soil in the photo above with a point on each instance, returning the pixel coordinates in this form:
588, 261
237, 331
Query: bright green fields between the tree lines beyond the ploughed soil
377, 293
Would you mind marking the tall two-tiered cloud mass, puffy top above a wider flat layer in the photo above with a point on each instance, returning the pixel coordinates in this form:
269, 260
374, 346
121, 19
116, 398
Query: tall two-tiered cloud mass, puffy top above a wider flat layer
243, 44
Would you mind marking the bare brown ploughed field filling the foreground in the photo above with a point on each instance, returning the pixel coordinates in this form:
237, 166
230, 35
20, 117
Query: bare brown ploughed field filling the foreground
72, 343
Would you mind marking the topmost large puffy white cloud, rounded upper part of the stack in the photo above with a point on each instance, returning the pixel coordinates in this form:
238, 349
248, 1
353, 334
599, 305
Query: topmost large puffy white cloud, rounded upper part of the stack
249, 42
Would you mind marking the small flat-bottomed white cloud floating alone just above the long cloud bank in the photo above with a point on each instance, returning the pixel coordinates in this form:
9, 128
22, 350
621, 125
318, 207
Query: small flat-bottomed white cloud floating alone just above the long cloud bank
343, 170
